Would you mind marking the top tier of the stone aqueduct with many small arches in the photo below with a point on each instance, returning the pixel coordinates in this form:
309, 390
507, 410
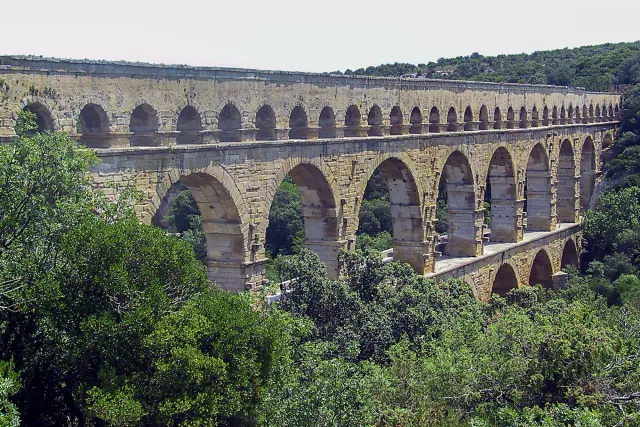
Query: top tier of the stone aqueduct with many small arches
107, 104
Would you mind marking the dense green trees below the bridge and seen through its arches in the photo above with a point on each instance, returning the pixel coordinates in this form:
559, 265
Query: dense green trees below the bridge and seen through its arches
107, 321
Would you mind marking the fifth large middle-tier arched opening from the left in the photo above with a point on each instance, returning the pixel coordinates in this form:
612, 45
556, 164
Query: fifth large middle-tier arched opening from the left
500, 193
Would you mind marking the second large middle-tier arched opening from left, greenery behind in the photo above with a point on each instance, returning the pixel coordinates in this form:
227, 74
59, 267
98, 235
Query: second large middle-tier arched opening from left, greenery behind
303, 211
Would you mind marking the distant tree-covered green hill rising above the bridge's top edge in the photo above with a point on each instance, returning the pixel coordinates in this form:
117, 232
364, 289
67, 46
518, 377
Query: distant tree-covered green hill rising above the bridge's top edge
596, 68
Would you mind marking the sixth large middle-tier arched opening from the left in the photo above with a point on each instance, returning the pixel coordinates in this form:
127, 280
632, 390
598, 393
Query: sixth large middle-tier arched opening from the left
538, 190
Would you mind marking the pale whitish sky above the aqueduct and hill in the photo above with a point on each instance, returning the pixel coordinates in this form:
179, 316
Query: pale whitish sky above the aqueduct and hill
299, 35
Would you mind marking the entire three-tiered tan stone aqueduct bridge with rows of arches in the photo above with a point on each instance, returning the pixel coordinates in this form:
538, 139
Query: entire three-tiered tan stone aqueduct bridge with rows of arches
231, 136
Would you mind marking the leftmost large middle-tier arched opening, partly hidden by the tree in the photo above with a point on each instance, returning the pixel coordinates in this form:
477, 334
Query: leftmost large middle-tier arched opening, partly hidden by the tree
199, 208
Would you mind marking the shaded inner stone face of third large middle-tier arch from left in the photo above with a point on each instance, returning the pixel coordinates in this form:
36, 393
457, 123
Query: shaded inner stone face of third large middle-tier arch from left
405, 196
